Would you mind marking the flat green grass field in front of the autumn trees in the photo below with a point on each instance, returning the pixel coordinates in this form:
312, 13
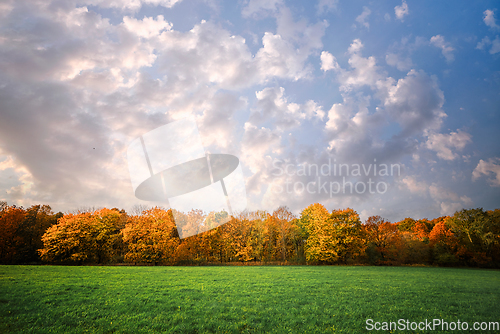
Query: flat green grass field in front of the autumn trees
288, 299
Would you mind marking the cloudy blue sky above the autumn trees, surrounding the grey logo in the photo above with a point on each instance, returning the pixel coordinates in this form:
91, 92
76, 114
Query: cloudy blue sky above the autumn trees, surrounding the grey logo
391, 108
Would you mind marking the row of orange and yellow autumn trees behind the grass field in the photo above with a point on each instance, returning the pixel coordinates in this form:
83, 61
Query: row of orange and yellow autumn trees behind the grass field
470, 237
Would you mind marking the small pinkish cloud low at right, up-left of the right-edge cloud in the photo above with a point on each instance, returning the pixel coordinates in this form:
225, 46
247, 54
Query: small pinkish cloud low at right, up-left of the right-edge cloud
443, 144
